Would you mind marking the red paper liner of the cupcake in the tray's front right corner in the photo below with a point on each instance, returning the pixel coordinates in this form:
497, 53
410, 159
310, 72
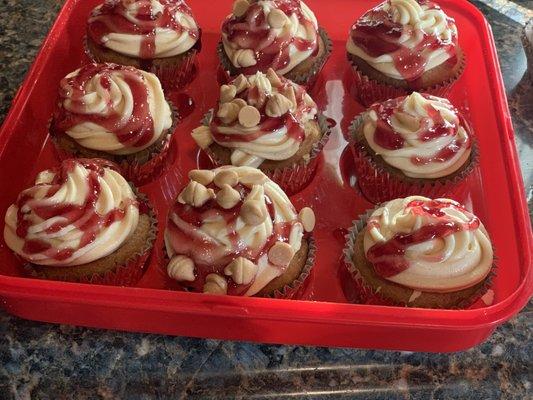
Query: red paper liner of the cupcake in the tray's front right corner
358, 291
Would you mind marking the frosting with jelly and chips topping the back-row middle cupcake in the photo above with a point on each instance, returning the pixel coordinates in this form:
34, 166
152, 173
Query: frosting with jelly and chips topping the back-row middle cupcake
263, 34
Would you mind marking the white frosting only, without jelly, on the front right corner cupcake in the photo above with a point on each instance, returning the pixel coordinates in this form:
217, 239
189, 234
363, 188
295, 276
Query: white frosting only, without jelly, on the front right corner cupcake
444, 264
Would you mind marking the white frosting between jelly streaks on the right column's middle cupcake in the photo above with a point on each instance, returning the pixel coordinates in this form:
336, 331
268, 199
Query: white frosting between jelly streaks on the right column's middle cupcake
411, 119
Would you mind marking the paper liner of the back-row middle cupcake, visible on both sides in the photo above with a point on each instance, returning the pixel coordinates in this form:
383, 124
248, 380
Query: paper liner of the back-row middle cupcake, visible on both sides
306, 79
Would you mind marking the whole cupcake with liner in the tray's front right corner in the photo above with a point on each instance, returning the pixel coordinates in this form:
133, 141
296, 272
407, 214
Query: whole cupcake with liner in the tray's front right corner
420, 252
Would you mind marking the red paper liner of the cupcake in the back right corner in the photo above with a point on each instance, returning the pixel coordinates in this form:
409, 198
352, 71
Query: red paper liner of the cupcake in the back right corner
368, 91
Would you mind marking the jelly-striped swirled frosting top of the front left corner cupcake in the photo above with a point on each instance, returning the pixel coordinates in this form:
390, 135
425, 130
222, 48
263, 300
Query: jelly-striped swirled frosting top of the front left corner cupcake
74, 214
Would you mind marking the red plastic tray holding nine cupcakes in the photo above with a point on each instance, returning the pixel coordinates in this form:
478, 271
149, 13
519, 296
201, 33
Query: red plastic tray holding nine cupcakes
324, 317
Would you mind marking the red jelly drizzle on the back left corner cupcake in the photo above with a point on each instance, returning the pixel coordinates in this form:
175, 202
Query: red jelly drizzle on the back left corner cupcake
110, 18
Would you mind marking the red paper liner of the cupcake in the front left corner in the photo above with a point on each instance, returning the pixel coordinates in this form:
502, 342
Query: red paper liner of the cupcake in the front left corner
127, 274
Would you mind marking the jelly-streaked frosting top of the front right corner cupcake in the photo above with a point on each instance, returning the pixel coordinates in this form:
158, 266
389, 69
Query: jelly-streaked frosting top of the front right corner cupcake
428, 245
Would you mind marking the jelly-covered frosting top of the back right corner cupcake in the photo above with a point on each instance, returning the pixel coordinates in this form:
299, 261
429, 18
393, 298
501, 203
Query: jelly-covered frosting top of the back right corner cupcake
402, 39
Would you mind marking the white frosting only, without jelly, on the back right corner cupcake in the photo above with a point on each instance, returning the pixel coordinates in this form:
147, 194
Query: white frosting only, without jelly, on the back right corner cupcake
418, 20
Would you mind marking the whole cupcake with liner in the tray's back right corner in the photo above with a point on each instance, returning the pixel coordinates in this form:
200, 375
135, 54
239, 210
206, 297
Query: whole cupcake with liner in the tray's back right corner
401, 46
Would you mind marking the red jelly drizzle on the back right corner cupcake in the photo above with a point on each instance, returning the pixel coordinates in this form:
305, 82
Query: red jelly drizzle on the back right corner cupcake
376, 34
